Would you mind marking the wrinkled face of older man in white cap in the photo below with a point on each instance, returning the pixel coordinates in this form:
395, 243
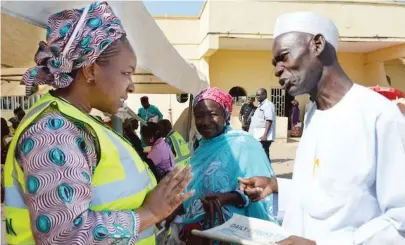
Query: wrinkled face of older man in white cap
295, 63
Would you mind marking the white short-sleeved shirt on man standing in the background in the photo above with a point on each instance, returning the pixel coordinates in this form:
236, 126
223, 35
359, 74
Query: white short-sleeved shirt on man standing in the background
266, 111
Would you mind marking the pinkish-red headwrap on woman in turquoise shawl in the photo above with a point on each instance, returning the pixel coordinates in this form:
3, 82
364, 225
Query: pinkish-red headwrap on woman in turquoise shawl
217, 95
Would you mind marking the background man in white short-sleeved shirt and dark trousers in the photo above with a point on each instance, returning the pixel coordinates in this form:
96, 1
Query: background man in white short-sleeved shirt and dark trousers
263, 125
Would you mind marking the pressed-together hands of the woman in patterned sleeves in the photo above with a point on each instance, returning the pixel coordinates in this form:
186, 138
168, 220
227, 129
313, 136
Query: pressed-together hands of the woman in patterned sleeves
166, 197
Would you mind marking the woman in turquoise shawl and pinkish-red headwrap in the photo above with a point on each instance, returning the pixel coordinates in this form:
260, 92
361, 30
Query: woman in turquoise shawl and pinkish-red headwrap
223, 156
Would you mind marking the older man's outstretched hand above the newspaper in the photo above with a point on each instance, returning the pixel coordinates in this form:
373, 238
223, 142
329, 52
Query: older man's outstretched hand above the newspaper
258, 188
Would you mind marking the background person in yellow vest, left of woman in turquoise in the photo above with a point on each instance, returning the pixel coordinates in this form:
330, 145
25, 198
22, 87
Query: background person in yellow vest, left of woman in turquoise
179, 146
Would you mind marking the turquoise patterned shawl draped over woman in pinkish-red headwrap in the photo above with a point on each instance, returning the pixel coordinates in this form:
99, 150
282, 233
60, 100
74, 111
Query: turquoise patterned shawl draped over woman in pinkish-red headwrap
217, 164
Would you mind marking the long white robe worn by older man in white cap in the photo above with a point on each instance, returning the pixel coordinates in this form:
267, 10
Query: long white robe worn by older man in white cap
349, 175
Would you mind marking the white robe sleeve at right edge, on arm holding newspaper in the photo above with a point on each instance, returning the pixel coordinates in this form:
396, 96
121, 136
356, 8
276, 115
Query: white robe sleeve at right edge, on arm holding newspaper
389, 227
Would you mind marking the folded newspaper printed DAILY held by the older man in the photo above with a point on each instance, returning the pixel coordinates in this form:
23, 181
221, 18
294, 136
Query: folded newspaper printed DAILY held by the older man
246, 231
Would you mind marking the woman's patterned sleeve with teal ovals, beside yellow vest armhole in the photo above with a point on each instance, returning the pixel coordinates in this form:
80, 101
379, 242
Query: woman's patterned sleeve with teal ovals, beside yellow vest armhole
57, 159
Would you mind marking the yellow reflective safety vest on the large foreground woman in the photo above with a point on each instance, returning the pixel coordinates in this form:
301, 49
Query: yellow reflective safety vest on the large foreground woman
120, 181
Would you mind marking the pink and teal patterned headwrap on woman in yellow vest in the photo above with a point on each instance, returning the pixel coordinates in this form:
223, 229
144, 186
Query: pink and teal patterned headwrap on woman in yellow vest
74, 38
